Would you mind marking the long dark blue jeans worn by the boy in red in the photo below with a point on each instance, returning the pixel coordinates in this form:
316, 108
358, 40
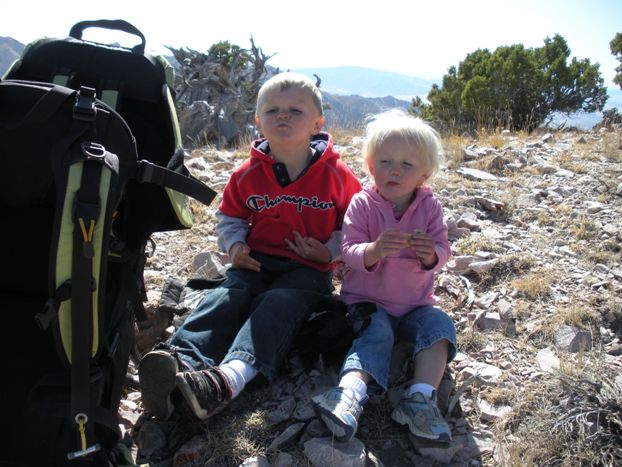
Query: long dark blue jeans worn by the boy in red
252, 316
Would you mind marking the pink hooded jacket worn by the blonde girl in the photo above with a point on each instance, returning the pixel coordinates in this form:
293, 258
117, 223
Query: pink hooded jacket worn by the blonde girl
396, 283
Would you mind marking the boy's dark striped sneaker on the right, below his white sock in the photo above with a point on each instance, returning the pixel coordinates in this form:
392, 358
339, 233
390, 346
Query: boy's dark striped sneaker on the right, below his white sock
207, 392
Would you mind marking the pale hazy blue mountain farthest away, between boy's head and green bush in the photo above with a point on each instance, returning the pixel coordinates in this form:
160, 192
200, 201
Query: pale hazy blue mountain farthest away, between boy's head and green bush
367, 82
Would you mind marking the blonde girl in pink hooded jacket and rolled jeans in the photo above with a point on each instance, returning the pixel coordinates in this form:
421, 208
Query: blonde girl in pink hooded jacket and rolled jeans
395, 240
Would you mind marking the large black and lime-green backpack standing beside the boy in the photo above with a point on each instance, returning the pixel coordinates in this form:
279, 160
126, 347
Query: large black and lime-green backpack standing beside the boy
83, 185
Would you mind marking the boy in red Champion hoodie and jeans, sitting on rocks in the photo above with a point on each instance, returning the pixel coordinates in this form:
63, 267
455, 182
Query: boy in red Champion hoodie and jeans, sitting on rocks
279, 220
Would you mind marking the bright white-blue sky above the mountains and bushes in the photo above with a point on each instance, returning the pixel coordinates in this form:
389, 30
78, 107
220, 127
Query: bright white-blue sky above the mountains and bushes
414, 38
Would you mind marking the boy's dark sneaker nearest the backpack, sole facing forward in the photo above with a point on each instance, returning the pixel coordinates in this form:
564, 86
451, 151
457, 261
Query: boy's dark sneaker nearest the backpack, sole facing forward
156, 374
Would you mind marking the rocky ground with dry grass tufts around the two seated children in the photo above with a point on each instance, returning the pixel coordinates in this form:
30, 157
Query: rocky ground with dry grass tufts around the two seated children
534, 287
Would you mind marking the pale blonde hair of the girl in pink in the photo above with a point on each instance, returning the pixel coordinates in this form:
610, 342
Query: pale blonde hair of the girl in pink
414, 130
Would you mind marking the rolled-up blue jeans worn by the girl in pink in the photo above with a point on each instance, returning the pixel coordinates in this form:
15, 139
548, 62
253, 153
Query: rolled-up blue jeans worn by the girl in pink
371, 351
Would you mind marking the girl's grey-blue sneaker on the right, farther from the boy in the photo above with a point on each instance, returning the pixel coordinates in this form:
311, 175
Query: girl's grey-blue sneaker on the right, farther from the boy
423, 417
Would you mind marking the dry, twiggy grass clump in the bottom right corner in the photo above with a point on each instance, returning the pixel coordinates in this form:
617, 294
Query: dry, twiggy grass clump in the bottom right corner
569, 419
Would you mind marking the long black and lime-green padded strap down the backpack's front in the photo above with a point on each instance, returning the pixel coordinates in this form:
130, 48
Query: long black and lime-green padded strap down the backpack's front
86, 176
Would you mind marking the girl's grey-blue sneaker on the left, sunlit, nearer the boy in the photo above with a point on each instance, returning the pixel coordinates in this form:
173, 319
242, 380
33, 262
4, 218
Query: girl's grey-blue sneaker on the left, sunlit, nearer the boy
340, 411
